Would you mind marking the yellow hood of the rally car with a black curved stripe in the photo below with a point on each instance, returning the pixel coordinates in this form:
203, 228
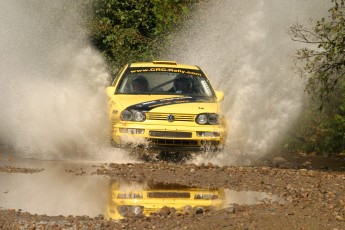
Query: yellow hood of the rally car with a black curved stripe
167, 104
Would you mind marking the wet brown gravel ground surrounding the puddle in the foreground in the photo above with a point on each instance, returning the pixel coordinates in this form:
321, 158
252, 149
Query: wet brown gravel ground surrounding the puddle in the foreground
314, 195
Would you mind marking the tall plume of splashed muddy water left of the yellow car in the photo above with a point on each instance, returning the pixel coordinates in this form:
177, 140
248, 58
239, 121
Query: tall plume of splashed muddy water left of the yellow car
51, 82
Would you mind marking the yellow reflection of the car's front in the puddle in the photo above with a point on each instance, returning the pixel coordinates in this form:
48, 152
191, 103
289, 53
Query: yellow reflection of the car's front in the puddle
135, 200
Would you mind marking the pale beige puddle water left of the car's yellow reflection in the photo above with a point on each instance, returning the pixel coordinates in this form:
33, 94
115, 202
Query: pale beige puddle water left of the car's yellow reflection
62, 188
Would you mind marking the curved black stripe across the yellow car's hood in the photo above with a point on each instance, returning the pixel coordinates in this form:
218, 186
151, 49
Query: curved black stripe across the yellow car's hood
148, 105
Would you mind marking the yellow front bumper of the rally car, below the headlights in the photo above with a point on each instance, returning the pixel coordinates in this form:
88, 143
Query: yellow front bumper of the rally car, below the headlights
174, 137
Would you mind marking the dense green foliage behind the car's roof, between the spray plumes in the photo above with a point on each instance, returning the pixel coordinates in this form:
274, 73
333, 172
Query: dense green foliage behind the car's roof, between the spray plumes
133, 30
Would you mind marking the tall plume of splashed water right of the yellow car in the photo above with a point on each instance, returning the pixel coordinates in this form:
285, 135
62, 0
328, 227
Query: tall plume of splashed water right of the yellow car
245, 48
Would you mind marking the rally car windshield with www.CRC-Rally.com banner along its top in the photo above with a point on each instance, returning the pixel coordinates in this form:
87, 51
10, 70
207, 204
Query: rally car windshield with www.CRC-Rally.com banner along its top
162, 81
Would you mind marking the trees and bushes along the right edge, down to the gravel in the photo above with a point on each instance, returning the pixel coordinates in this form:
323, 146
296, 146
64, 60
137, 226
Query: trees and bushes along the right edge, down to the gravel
323, 131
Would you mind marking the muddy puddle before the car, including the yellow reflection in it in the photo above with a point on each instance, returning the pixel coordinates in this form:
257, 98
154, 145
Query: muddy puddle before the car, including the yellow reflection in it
70, 188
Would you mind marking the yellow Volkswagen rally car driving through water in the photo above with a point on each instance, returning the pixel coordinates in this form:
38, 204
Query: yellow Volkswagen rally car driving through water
167, 106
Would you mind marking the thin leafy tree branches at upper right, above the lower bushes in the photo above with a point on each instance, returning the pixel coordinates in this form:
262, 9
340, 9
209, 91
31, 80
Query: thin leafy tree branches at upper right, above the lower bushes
325, 61
